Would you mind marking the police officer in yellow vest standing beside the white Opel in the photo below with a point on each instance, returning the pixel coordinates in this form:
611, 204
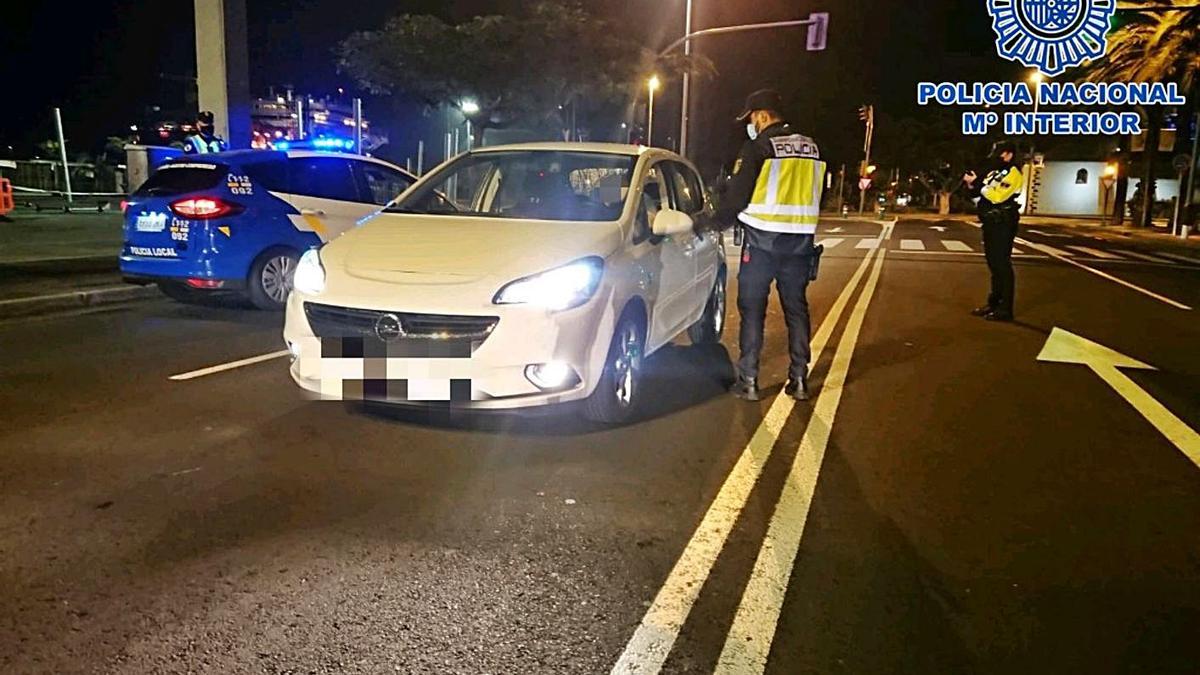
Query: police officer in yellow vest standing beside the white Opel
776, 194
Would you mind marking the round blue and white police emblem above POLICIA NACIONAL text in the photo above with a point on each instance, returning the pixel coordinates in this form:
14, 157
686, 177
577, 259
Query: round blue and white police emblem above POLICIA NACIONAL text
1052, 35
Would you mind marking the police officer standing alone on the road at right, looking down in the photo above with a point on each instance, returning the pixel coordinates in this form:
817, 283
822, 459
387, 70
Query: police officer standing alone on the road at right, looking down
1000, 214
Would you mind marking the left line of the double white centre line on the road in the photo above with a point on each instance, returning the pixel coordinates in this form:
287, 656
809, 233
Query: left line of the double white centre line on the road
656, 636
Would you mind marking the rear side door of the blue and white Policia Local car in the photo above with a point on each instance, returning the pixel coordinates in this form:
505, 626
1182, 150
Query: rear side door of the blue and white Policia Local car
325, 190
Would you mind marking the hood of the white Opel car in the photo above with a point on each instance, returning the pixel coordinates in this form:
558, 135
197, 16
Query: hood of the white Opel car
415, 249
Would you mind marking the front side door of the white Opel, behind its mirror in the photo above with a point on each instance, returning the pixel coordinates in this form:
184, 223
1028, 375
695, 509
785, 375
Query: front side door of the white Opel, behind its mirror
665, 261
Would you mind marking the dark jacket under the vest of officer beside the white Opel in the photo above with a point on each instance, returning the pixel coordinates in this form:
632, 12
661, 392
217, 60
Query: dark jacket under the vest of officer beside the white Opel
740, 192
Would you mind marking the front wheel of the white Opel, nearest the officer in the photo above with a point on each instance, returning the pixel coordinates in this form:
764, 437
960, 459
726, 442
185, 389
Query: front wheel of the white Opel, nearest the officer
617, 393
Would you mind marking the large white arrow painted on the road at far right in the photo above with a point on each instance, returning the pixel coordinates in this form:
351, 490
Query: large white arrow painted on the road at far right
1071, 349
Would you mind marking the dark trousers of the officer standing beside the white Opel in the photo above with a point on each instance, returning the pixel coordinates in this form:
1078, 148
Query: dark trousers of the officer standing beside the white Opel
790, 272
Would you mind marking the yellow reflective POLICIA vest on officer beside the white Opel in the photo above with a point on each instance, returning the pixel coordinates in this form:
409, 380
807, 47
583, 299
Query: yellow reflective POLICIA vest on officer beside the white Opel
788, 196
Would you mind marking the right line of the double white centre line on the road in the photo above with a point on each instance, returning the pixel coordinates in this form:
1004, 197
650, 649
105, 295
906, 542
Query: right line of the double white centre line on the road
748, 644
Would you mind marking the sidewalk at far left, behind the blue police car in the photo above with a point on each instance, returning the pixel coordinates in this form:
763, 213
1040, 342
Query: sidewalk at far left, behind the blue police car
53, 262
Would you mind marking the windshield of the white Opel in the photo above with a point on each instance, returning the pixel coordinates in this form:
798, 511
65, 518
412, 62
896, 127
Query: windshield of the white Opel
530, 184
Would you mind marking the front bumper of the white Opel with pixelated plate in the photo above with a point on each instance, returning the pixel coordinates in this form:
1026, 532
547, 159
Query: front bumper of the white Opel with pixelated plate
489, 375
